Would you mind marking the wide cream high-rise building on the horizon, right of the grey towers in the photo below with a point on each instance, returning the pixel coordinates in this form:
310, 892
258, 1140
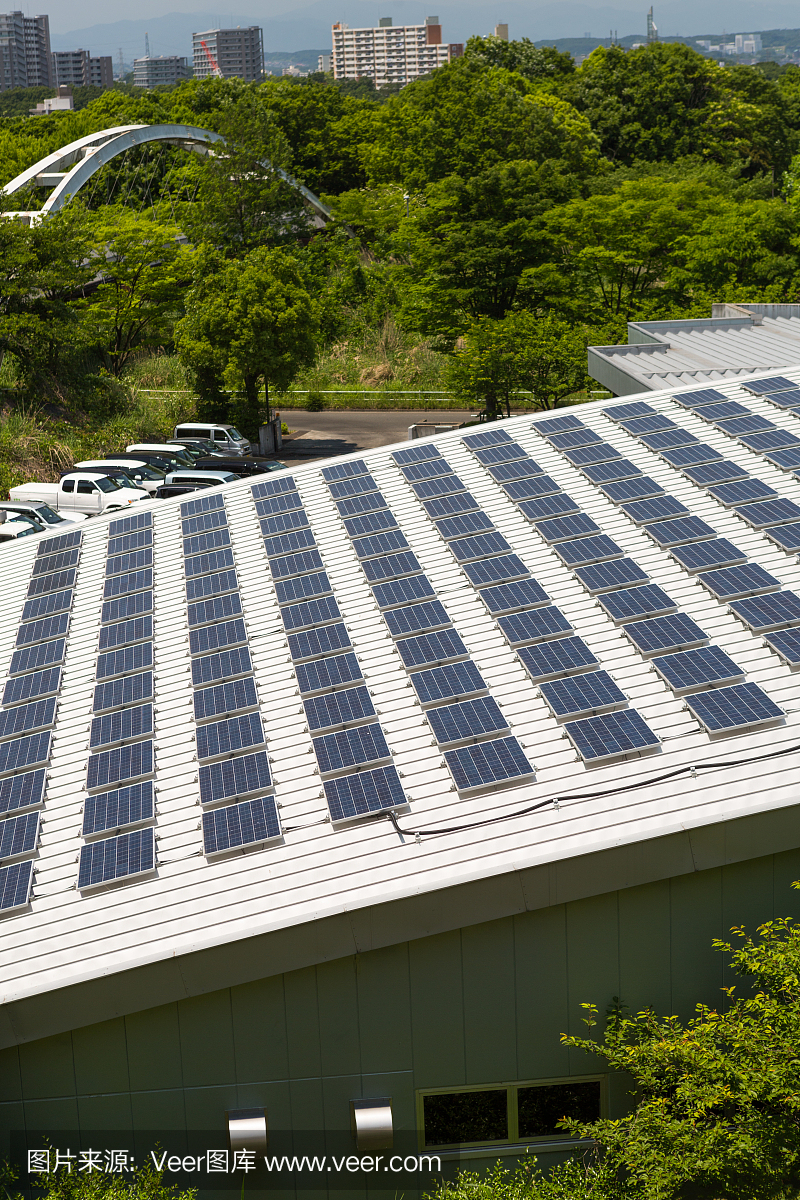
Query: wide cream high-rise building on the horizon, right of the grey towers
390, 53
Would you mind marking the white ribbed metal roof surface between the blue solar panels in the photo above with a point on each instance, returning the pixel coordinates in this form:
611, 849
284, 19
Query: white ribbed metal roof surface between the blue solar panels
320, 868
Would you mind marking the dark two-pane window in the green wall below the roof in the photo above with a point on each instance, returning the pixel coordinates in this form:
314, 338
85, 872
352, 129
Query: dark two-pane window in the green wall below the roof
525, 1112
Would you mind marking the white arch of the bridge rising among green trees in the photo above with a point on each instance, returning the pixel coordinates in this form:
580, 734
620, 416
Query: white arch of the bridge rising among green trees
67, 171
